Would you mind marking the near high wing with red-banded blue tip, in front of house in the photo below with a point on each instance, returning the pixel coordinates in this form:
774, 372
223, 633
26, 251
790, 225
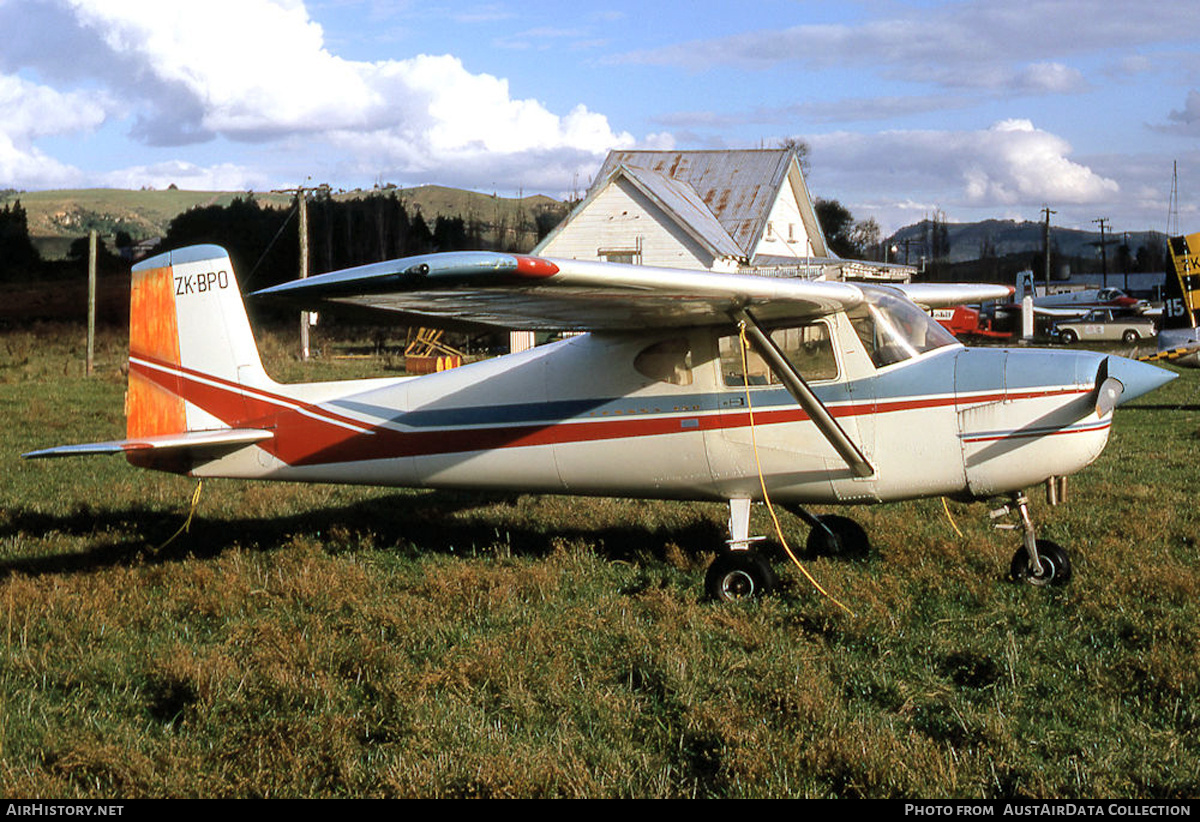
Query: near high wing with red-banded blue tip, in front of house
533, 293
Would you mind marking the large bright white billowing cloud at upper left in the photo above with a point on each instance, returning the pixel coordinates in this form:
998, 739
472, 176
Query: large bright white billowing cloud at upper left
257, 71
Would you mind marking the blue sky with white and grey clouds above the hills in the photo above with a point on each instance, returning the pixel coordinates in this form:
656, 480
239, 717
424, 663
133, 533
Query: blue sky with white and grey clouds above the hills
964, 110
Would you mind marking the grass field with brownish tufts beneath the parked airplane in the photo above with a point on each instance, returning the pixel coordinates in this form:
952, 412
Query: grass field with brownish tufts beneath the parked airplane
323, 641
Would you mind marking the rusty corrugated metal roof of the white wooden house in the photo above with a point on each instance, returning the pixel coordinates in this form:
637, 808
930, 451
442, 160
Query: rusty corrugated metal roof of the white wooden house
740, 188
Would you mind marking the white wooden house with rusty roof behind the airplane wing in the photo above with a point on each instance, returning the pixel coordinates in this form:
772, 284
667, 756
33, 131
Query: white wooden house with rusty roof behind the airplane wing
736, 212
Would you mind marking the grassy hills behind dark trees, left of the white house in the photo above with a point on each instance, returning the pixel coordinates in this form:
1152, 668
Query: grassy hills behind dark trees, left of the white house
59, 218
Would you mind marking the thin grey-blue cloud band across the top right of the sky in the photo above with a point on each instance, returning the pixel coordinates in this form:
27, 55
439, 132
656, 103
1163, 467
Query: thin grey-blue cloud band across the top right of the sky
969, 45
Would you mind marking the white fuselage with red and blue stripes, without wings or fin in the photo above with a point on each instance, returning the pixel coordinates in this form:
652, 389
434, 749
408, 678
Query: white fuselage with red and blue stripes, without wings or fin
586, 416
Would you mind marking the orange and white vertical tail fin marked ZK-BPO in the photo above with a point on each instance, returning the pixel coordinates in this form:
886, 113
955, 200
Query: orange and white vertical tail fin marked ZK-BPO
189, 335
